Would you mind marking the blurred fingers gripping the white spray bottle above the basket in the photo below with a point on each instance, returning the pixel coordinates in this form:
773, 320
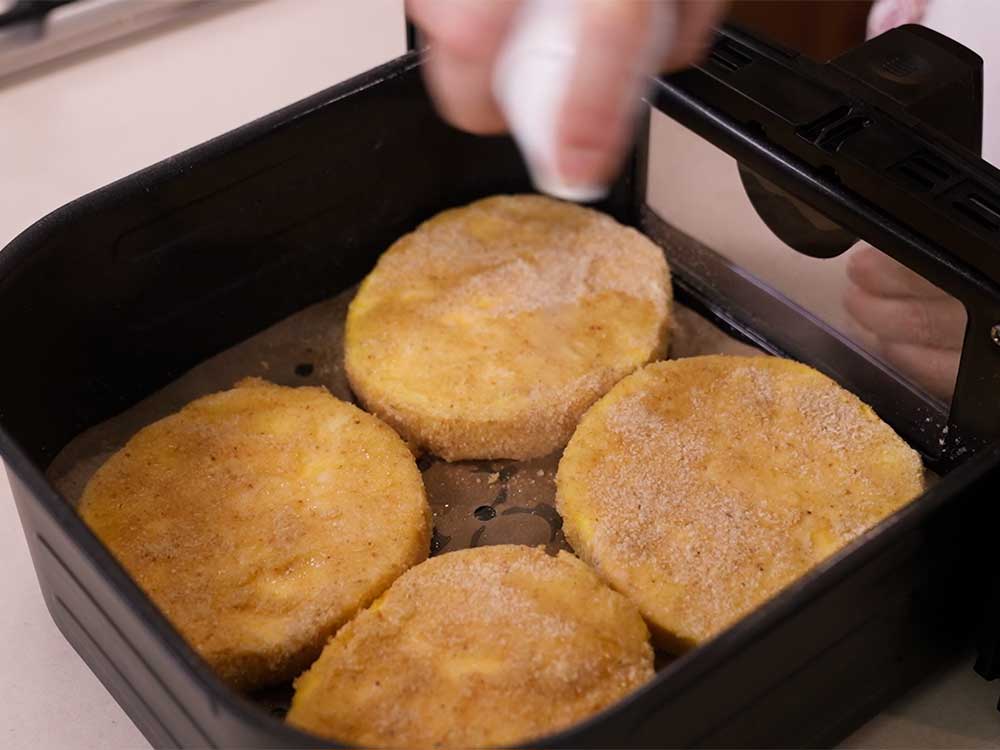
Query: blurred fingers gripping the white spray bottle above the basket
594, 126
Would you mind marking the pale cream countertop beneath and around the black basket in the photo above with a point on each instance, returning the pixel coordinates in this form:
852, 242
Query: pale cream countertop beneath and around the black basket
77, 125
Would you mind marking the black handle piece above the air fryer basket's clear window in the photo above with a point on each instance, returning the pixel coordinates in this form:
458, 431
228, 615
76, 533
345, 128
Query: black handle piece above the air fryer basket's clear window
851, 139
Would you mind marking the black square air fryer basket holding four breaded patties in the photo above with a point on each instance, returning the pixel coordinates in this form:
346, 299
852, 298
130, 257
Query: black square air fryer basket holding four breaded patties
117, 294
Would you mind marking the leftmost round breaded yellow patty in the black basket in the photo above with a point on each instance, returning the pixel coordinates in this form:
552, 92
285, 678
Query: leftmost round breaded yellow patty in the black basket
261, 519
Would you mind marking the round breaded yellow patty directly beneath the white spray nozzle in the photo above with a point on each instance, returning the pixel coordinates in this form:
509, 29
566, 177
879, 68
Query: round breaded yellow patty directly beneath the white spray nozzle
489, 330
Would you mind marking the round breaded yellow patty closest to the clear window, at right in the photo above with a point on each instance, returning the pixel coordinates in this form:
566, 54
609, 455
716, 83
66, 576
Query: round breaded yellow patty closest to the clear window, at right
701, 487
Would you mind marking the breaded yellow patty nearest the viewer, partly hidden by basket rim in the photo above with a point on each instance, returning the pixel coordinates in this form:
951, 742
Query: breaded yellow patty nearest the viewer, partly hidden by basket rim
485, 646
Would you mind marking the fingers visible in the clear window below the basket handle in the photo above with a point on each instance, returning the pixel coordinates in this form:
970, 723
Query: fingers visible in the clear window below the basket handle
916, 326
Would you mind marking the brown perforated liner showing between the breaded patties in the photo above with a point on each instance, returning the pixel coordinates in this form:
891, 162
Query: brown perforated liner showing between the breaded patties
473, 502
